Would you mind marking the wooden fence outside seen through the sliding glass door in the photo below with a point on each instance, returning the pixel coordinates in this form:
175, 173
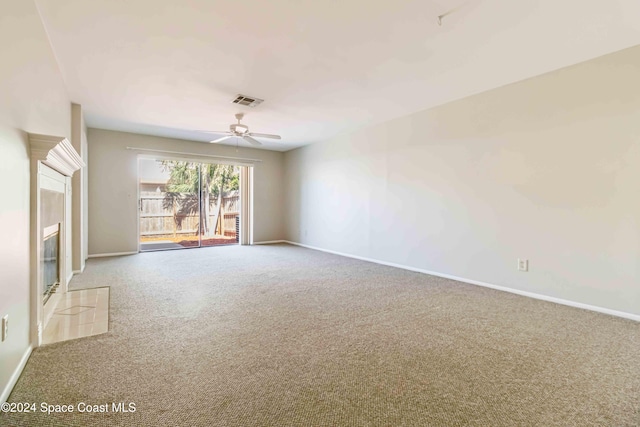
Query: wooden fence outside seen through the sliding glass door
156, 221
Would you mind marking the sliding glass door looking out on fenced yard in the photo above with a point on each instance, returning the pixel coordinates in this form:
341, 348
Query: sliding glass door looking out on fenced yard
187, 204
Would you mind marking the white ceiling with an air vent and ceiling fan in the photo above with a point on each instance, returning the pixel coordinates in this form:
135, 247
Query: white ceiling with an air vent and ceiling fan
165, 68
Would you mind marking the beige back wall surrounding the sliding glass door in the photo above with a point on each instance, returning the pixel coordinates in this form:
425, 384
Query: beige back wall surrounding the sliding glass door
113, 188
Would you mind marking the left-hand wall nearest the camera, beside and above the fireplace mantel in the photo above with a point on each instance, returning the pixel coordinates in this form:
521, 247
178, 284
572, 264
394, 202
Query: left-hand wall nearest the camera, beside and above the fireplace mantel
32, 99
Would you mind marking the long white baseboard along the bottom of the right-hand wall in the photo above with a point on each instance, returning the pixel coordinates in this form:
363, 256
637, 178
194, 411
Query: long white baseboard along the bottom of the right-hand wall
542, 297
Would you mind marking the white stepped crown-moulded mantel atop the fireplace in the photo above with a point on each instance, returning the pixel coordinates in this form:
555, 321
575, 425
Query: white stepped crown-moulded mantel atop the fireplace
55, 152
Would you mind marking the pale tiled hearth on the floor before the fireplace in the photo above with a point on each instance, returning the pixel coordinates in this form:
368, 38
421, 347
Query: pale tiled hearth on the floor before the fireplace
78, 314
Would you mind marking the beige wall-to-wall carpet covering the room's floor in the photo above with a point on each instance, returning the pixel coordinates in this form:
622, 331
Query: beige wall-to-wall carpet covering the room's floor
284, 336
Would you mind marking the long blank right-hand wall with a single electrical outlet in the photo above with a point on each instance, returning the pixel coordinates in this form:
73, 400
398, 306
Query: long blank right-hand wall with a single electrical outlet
547, 169
